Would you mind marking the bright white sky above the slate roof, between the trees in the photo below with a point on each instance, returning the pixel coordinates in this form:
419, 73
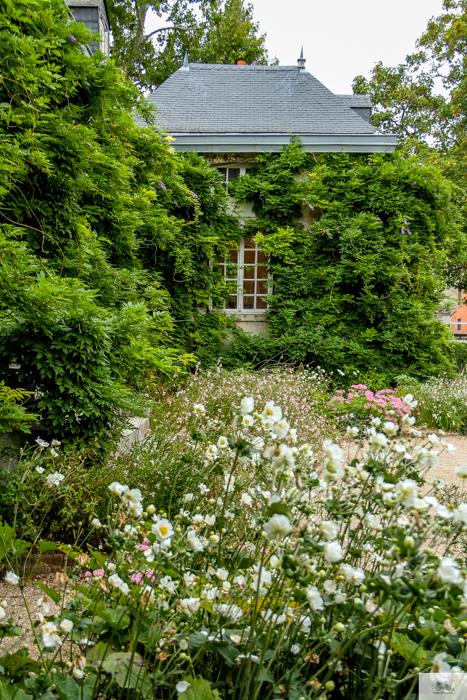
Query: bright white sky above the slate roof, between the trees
341, 38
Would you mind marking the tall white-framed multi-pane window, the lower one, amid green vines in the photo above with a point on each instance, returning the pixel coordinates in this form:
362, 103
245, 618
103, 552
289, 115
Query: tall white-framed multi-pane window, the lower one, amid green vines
246, 272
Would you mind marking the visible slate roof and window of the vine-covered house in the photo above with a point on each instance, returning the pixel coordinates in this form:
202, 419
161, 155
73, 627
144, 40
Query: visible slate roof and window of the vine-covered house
230, 113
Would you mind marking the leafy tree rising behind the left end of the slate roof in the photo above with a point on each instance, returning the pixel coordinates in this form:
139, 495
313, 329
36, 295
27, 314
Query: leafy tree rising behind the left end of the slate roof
210, 31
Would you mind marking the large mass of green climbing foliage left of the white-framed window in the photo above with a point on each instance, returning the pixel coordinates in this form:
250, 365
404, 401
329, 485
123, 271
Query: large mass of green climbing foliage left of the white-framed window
105, 231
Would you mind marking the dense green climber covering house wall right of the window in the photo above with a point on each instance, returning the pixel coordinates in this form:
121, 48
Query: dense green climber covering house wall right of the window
361, 272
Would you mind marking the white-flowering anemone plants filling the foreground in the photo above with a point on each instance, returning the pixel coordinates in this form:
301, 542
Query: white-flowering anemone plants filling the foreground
285, 574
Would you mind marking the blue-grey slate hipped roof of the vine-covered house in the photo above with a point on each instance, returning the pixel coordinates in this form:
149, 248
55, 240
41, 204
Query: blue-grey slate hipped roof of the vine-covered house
233, 99
